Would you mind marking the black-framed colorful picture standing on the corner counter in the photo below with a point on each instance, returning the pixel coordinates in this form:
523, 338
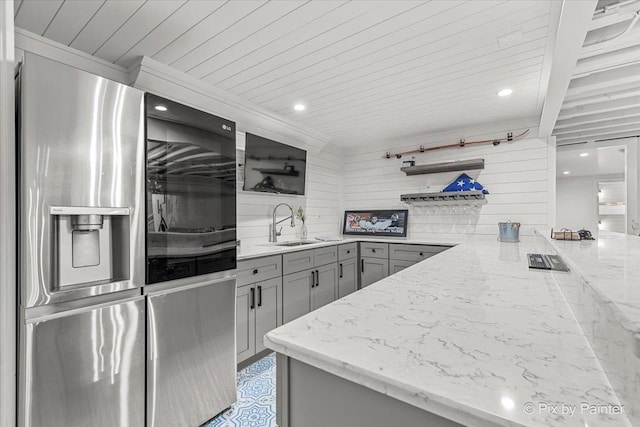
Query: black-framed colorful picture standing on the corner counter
392, 223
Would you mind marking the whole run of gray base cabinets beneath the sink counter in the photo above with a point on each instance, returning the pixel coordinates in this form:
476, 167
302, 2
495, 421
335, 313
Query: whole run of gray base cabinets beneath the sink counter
307, 280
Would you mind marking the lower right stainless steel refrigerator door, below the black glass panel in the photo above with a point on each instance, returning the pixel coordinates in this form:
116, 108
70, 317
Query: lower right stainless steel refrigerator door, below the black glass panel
191, 353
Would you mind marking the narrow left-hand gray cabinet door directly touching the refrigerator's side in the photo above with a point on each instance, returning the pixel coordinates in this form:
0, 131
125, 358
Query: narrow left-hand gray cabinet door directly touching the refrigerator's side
245, 322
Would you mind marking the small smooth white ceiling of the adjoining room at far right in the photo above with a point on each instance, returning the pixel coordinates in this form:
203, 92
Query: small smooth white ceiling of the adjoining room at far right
607, 160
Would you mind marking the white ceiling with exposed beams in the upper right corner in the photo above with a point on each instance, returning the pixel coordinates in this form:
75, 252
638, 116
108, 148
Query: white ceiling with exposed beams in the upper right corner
603, 99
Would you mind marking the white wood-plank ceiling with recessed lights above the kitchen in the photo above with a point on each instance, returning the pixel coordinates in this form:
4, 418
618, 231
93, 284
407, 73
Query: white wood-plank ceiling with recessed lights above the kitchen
367, 70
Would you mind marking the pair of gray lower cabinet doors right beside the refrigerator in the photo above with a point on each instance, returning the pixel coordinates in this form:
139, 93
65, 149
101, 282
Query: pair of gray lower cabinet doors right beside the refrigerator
258, 310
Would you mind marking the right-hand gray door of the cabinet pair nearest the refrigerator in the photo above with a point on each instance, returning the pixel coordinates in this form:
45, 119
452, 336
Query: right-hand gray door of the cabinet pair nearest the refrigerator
268, 309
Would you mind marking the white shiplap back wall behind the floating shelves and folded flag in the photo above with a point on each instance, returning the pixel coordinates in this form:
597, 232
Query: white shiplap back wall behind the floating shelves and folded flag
516, 174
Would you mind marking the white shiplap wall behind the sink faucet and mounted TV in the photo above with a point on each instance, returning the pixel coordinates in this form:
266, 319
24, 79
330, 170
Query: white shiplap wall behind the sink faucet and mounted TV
321, 201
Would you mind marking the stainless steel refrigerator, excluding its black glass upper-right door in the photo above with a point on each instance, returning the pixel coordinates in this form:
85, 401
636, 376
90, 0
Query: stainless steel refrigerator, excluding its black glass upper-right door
96, 347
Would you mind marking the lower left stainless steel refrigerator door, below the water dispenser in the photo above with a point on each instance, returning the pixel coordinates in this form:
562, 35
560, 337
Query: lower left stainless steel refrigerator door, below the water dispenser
85, 367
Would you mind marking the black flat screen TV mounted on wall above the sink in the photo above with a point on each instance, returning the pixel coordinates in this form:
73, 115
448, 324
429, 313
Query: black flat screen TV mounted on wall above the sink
273, 167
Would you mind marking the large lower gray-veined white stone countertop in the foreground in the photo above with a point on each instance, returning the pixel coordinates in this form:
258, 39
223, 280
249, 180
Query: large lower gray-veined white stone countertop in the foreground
470, 334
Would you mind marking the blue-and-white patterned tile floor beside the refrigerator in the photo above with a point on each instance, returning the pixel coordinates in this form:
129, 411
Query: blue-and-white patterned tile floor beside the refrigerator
256, 405
